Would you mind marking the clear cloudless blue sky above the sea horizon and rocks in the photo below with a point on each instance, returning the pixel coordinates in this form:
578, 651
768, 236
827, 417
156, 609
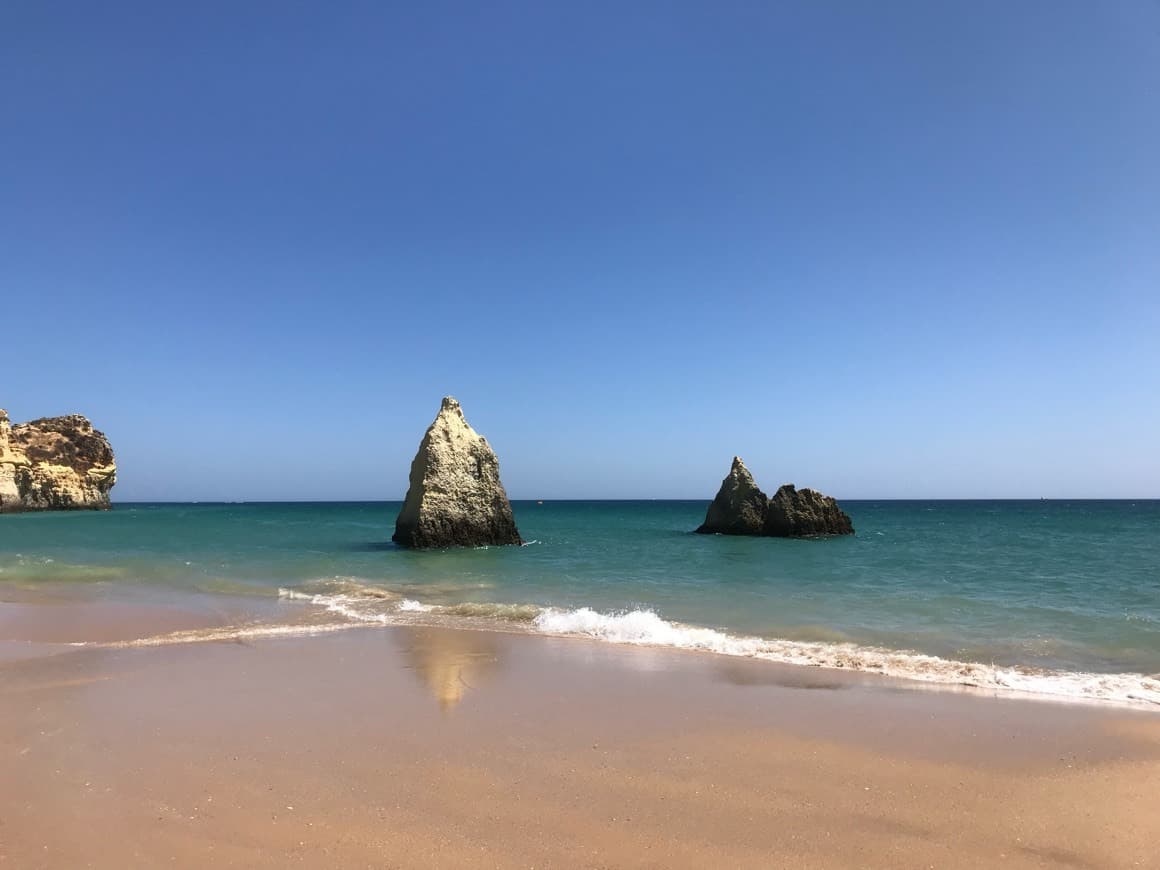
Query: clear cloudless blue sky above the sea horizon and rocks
884, 250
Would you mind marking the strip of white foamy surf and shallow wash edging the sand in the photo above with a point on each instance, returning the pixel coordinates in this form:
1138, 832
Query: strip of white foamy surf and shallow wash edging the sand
165, 618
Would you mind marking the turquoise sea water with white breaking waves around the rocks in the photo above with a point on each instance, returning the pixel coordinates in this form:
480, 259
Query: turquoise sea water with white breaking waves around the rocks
1031, 591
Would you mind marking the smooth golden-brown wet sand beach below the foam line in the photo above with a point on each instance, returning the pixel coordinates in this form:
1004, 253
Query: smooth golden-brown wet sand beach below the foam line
434, 748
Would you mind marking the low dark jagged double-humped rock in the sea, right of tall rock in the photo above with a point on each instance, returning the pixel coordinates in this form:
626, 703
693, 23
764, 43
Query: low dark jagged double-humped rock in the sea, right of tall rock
743, 509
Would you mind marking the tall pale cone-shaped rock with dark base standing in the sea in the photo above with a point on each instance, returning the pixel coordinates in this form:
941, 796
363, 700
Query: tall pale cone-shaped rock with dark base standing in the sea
455, 498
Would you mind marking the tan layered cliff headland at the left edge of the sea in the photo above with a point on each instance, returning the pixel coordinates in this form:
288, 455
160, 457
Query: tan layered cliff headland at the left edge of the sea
57, 463
